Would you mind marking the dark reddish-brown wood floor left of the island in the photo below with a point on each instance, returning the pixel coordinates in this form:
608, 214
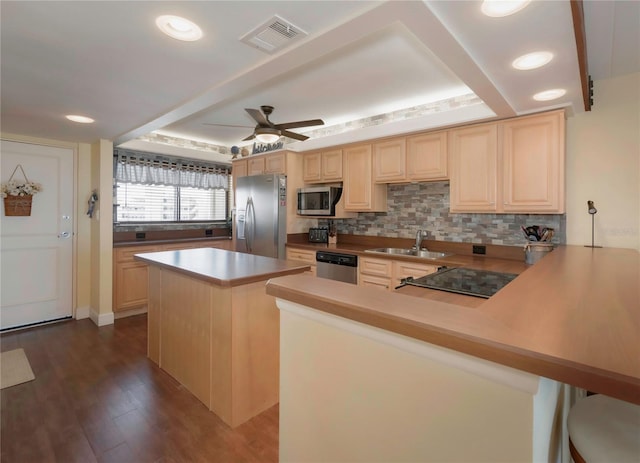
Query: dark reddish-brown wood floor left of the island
96, 397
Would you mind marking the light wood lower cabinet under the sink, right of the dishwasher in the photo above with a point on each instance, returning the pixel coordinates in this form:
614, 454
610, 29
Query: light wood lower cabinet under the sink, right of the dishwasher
387, 274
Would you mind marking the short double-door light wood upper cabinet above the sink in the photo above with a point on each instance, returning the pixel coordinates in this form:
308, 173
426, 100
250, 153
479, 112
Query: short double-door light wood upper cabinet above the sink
418, 158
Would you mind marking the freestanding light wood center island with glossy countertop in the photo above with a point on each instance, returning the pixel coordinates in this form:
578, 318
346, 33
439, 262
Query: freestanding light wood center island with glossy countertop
214, 329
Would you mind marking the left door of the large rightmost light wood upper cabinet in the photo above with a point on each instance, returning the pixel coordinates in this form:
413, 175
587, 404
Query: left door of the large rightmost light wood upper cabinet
473, 160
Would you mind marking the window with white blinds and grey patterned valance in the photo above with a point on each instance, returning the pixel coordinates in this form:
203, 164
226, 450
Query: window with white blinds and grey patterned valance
148, 190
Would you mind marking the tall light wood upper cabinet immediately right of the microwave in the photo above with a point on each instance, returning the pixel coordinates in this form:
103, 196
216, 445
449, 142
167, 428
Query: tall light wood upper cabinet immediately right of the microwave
360, 192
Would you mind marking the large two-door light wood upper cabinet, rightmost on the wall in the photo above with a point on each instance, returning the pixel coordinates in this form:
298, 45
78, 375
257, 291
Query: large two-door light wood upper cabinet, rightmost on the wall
513, 166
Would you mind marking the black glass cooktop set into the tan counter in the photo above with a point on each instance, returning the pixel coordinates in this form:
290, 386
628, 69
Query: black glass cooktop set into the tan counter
471, 282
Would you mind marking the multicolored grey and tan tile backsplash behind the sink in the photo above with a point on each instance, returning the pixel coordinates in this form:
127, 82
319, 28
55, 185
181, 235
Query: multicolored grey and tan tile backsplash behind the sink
426, 206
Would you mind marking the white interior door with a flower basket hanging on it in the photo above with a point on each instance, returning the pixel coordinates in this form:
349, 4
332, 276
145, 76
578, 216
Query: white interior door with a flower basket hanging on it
36, 251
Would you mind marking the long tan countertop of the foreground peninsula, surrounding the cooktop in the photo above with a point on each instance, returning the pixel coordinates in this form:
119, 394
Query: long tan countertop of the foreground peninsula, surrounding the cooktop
574, 317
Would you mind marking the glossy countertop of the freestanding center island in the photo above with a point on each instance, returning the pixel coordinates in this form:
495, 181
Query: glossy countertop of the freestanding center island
222, 268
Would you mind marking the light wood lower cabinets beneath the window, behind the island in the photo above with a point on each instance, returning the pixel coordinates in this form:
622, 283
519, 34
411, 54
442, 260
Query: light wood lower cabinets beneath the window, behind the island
131, 277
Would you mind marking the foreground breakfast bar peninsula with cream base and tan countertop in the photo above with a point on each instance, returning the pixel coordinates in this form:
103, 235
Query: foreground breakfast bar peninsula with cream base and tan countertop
414, 379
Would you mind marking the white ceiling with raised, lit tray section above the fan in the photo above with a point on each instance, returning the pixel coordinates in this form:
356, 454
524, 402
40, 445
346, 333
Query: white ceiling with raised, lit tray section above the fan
107, 60
